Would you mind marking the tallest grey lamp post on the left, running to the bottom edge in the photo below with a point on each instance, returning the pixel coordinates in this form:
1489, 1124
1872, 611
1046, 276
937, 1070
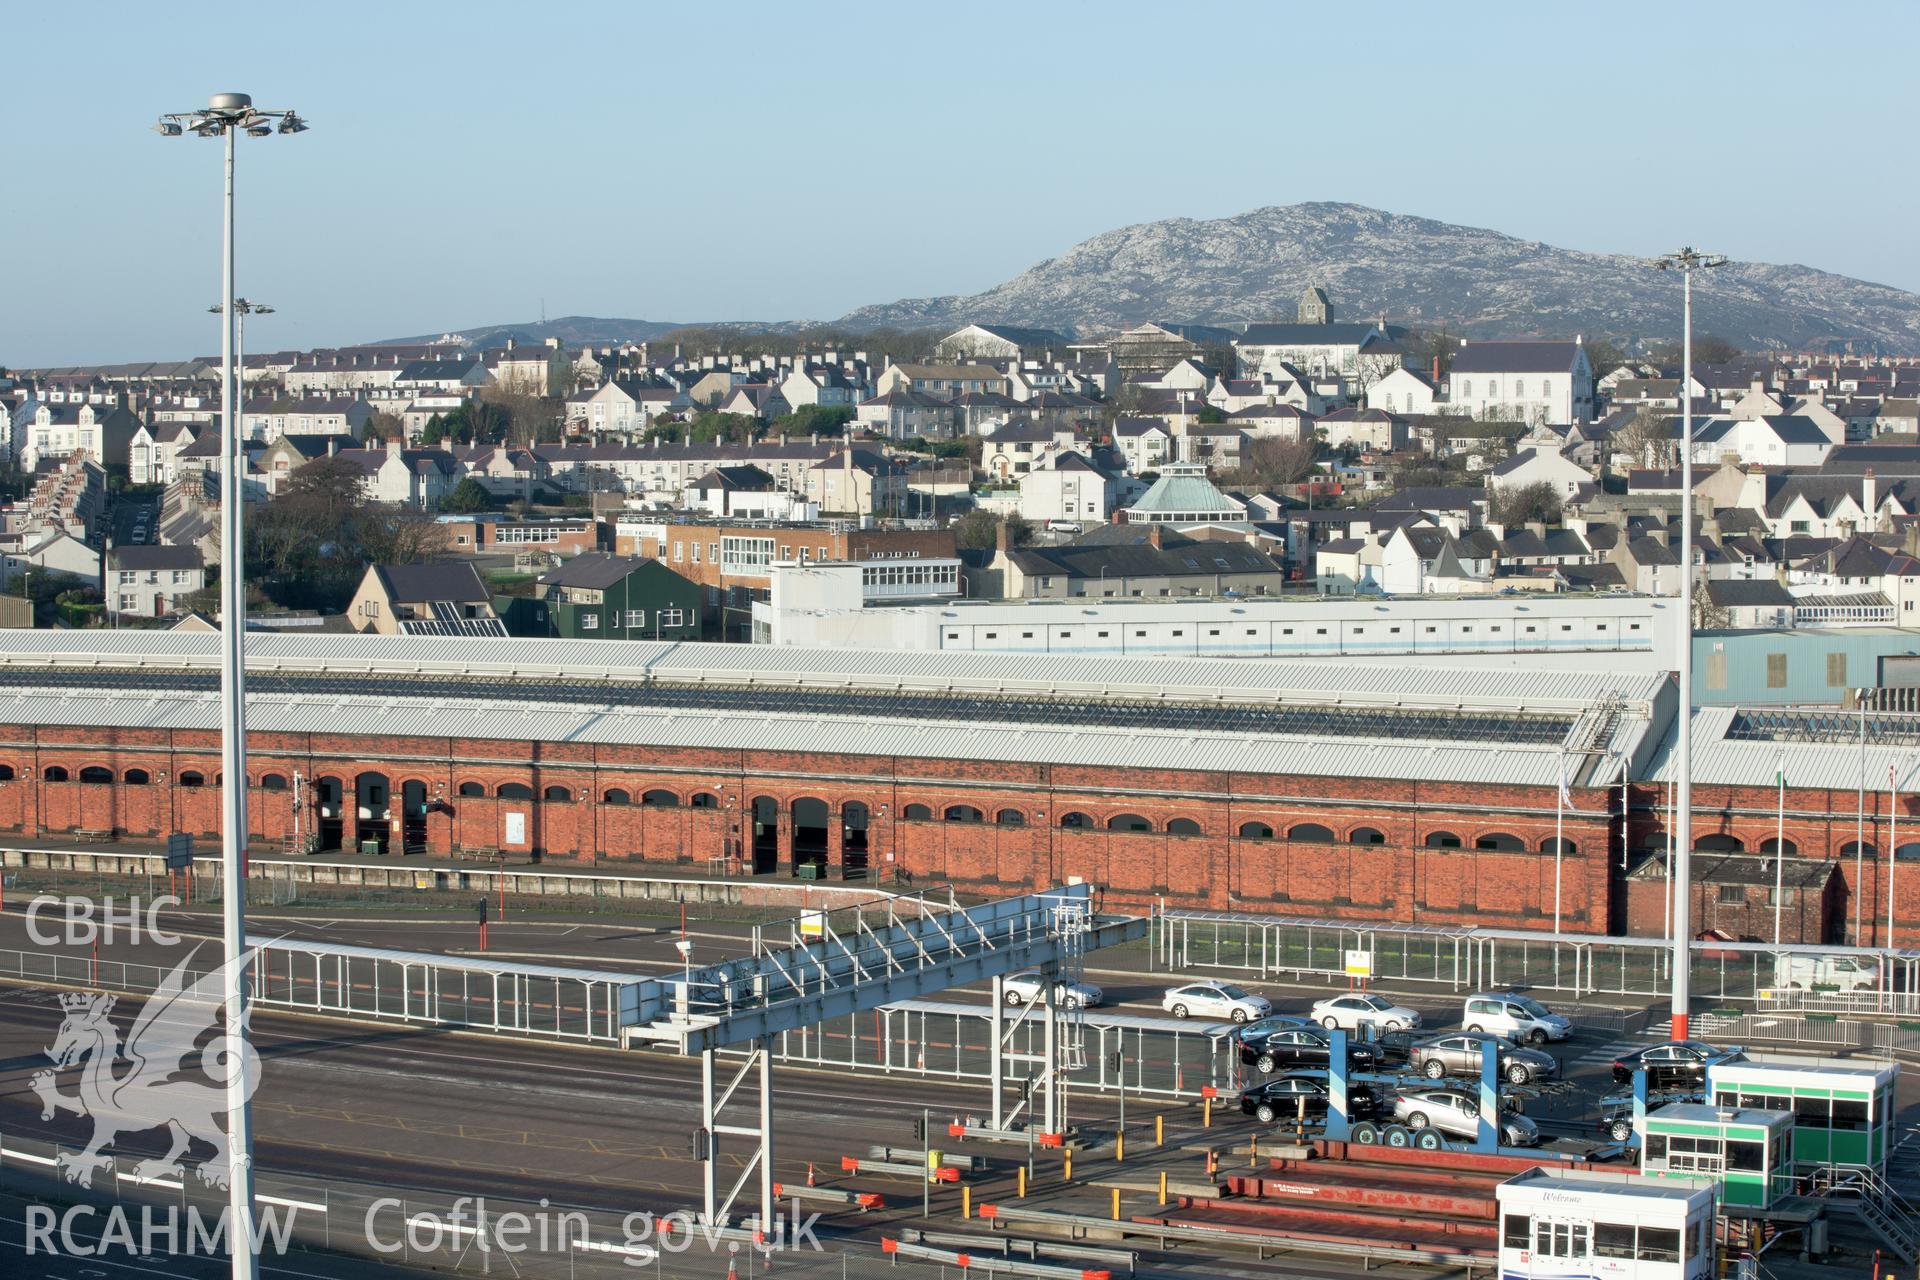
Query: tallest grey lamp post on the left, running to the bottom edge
226, 118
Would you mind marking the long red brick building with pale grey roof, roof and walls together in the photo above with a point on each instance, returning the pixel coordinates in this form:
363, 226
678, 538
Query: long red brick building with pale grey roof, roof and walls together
1303, 790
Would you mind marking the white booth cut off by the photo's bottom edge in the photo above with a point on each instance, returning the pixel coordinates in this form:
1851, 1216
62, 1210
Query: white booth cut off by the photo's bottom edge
1589, 1223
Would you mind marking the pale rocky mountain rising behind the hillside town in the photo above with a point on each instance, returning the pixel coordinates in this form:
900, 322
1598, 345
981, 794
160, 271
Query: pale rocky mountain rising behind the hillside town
1414, 272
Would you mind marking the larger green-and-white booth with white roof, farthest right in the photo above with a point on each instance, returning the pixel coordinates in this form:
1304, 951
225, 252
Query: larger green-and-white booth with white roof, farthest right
1842, 1110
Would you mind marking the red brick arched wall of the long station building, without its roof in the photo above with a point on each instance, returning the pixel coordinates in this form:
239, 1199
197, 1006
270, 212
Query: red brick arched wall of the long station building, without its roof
1020, 843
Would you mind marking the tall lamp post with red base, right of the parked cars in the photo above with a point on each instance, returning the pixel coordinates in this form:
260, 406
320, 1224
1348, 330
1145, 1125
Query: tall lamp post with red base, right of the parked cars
1687, 262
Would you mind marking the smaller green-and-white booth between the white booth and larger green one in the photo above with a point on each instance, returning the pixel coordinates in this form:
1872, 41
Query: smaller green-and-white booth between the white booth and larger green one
1748, 1154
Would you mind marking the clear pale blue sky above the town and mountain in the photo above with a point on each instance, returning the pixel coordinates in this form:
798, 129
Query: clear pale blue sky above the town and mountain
729, 162
